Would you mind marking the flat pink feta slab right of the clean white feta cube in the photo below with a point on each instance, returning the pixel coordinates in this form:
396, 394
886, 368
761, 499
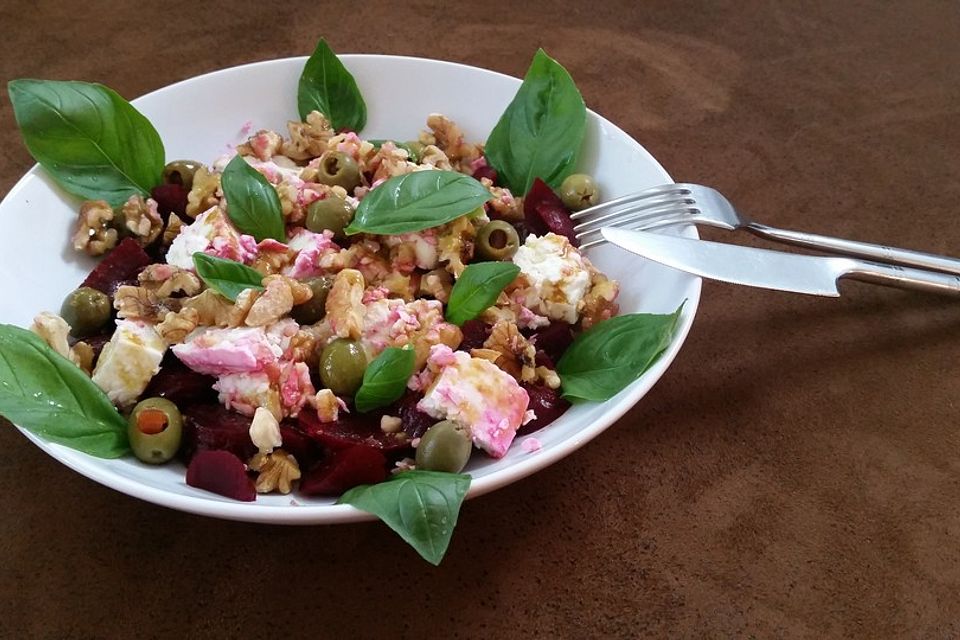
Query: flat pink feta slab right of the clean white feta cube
216, 351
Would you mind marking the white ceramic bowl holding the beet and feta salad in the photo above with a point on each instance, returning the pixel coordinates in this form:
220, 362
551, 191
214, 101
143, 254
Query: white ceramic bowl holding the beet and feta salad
200, 117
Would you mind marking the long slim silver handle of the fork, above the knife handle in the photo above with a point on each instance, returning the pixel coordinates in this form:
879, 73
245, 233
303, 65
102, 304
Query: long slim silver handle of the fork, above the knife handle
877, 252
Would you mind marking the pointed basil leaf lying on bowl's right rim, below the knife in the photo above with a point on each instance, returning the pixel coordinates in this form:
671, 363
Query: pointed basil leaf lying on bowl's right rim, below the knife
606, 358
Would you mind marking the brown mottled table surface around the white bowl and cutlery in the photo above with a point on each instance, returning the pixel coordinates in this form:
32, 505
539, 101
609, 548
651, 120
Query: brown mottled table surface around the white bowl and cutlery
794, 474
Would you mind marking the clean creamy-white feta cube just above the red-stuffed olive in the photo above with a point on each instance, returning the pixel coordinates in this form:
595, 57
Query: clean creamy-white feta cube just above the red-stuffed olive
129, 361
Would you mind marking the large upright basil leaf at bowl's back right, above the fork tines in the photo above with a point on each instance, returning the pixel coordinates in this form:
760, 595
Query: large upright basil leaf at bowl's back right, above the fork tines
539, 134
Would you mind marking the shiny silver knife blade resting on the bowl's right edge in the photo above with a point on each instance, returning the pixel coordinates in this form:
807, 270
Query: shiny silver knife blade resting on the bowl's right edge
736, 264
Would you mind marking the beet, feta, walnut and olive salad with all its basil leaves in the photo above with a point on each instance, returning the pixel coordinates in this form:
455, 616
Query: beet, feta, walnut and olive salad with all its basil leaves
323, 313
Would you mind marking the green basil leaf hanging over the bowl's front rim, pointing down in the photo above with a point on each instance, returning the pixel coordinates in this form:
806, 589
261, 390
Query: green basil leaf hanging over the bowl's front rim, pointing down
421, 506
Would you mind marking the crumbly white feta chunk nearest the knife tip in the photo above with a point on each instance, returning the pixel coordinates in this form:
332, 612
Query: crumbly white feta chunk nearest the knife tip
558, 275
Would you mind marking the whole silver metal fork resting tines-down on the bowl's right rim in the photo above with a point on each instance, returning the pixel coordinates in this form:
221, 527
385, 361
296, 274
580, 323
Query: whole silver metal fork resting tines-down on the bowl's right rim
696, 204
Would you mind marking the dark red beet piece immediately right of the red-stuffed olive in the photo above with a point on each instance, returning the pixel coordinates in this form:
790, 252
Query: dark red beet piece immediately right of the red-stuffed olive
211, 427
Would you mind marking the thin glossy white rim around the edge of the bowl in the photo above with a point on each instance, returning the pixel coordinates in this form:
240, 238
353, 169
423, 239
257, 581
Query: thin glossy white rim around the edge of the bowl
304, 514
